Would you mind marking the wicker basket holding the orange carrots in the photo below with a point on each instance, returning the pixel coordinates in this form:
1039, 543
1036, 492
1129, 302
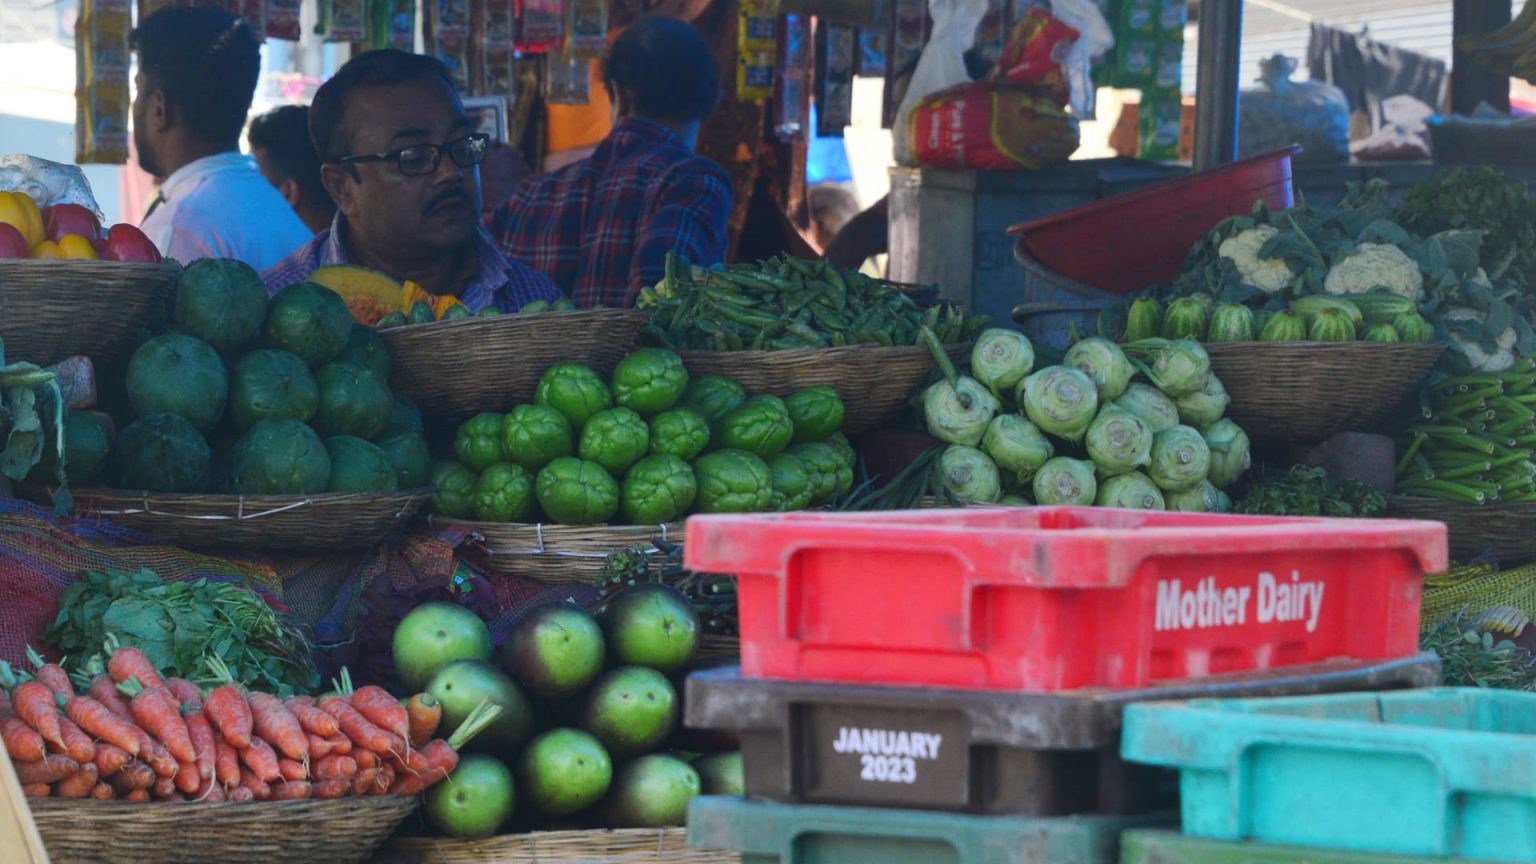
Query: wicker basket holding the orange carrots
277, 832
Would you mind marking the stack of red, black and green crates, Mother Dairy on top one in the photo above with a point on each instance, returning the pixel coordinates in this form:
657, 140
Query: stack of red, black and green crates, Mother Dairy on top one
950, 685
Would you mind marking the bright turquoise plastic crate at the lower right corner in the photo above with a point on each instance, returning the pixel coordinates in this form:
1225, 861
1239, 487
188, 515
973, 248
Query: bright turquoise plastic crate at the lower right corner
1425, 773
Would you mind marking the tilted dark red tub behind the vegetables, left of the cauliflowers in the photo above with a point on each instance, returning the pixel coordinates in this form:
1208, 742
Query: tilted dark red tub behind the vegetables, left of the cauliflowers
1127, 244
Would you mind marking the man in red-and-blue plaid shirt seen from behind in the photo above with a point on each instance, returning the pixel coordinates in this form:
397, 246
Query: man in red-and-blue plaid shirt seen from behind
603, 228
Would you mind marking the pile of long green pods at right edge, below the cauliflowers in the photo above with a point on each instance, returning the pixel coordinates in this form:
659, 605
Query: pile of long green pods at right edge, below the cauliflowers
1478, 440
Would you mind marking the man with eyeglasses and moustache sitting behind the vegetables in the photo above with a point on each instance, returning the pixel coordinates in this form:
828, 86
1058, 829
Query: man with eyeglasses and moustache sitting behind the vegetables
403, 167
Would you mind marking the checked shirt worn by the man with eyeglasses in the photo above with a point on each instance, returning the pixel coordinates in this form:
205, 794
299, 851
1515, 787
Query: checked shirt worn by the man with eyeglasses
508, 285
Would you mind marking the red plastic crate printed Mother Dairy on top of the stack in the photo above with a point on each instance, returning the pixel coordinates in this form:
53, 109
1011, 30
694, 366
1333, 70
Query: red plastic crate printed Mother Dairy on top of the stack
1061, 599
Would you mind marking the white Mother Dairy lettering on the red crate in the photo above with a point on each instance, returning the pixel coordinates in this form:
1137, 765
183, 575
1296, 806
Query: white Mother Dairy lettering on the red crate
1203, 605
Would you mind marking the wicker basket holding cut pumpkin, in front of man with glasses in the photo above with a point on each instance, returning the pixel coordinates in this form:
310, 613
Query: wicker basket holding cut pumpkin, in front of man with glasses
471, 365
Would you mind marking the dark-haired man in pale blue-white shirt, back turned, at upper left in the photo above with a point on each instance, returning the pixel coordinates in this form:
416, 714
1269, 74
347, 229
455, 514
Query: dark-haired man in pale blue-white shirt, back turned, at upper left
197, 73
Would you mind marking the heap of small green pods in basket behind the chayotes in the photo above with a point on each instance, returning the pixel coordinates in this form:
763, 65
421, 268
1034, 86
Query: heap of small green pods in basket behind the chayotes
787, 304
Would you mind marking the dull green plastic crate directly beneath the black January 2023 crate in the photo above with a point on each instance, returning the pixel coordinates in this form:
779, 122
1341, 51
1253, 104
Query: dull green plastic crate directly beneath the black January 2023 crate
795, 834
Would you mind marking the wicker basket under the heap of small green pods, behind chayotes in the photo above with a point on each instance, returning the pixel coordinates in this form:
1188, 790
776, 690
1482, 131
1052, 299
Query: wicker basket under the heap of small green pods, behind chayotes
875, 382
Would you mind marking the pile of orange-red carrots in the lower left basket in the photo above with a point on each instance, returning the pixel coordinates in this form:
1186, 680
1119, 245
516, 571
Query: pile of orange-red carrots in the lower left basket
139, 737
